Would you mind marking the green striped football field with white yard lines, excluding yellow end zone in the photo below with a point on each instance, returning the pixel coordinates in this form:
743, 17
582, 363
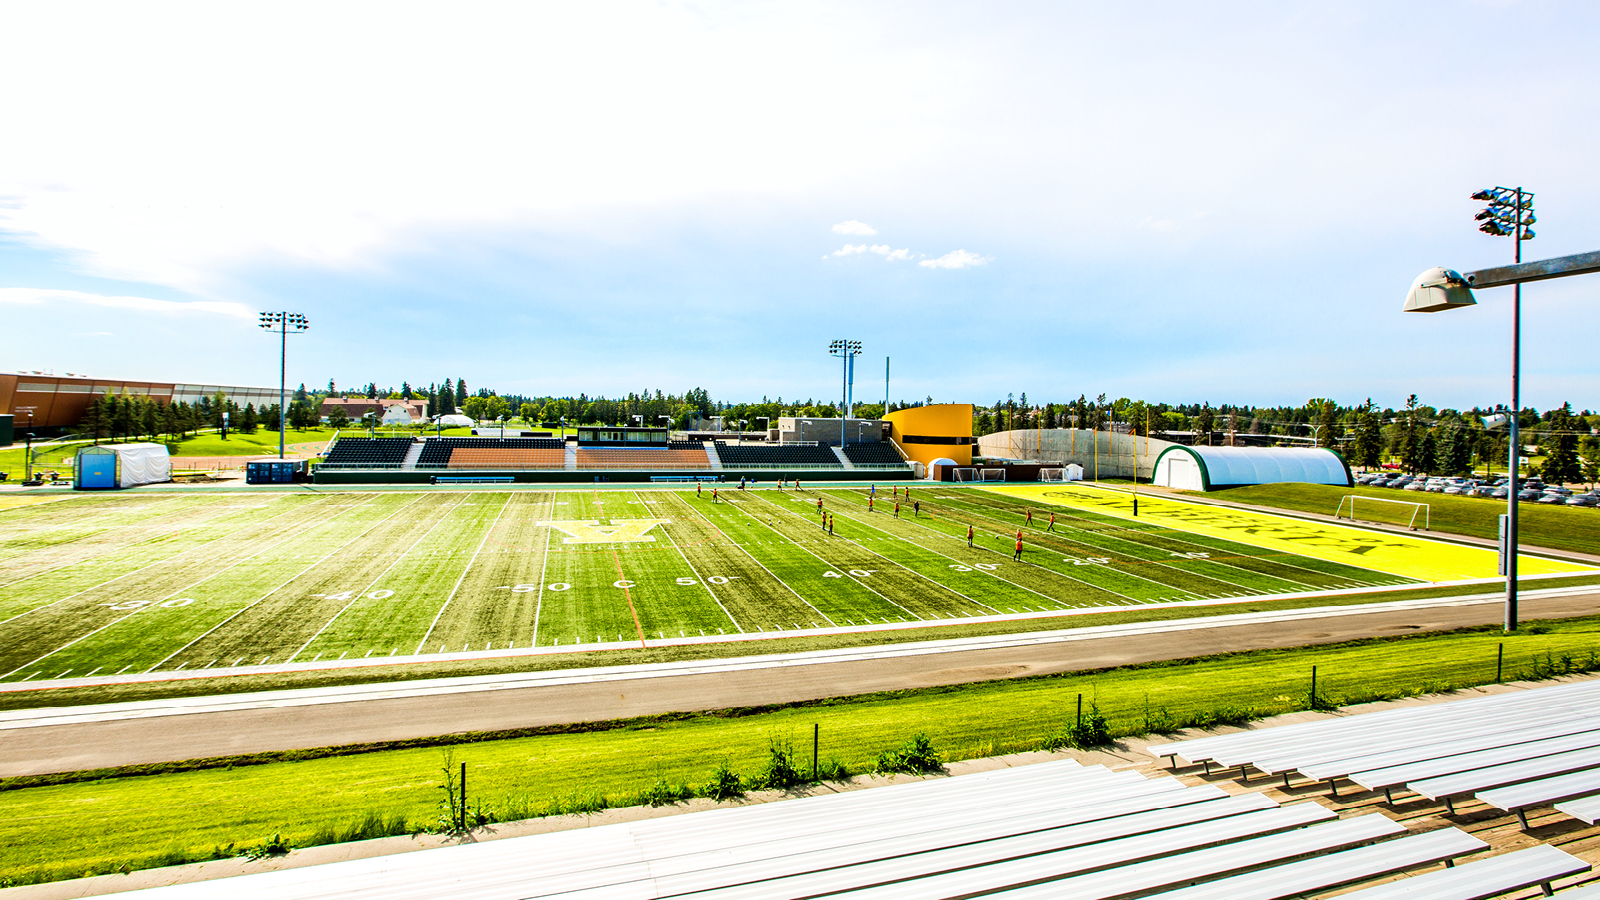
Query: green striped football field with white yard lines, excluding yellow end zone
161, 582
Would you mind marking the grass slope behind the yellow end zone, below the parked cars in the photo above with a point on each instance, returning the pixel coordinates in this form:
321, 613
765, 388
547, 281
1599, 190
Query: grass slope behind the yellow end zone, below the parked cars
1556, 528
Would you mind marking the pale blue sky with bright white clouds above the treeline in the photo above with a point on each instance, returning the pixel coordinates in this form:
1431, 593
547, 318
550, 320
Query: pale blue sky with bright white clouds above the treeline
1178, 203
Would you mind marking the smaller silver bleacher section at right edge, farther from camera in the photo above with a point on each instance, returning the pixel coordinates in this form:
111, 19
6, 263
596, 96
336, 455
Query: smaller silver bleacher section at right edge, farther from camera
1513, 752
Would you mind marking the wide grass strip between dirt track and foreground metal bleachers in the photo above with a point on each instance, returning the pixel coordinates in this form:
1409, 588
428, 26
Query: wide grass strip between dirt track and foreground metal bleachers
124, 821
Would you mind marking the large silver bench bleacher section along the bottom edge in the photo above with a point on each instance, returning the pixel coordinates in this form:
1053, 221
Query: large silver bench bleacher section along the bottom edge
1050, 830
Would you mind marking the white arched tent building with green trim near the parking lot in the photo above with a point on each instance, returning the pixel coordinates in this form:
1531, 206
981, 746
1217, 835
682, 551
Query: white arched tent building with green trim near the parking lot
1209, 468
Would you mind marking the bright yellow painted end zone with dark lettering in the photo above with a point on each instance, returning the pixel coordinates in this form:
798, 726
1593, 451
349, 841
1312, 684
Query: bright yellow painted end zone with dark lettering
1398, 555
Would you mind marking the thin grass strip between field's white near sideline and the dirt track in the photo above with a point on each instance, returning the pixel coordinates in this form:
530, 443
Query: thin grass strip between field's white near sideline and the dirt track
554, 662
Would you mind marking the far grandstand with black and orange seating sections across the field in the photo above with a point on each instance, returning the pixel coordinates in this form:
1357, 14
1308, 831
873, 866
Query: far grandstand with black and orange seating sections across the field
446, 454
